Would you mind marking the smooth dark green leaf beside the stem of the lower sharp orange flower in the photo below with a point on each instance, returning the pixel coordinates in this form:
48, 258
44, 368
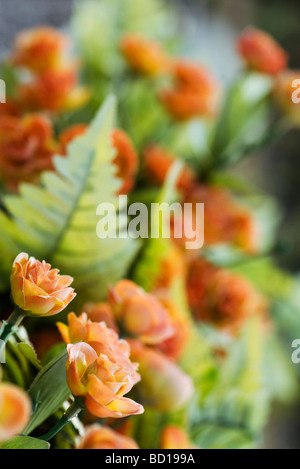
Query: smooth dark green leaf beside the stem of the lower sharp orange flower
48, 391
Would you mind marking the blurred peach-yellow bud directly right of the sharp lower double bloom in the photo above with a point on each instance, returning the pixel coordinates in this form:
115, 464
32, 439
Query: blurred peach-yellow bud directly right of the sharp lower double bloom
164, 385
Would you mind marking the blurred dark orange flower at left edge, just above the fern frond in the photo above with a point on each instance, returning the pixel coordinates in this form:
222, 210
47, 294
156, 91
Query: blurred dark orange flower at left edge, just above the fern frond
26, 149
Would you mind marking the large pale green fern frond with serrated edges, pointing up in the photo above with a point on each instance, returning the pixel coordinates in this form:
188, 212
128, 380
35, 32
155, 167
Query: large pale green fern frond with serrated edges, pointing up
57, 222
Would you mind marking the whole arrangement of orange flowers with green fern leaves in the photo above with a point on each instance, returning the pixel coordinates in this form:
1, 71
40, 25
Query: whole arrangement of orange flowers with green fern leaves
139, 342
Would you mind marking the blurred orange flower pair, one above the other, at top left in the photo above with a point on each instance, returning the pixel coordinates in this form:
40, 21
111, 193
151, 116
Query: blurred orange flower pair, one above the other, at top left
53, 84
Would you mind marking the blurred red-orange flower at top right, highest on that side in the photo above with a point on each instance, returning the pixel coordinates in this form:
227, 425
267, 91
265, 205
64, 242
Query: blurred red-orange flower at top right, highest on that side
261, 52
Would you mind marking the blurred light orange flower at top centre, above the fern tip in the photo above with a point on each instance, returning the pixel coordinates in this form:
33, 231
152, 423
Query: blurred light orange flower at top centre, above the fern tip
144, 56
